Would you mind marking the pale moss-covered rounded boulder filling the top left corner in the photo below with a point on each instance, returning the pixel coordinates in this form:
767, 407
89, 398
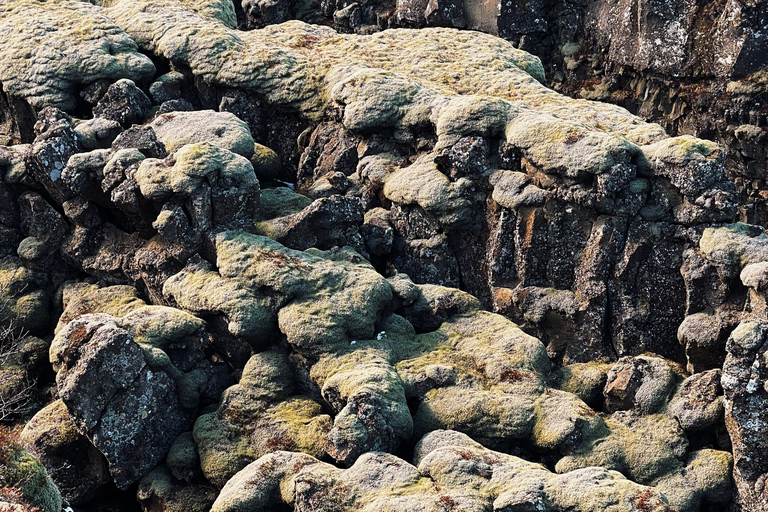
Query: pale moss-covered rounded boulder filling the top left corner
52, 49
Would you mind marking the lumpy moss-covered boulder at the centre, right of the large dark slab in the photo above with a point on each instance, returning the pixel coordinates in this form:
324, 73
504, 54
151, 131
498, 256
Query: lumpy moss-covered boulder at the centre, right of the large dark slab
258, 279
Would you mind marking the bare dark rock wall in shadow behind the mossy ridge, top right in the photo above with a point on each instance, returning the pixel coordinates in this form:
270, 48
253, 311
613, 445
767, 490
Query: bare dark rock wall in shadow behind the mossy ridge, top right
695, 68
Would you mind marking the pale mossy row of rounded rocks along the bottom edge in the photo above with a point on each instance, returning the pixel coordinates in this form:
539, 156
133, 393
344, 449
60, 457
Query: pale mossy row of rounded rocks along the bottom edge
451, 471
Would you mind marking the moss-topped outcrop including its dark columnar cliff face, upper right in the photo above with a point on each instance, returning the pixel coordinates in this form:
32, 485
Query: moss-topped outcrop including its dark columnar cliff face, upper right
439, 215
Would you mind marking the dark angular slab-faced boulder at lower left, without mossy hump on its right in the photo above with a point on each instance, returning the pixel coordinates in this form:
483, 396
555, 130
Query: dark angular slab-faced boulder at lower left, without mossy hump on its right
130, 401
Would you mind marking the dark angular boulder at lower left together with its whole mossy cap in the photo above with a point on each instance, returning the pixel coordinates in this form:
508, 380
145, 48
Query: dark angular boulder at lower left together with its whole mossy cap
127, 384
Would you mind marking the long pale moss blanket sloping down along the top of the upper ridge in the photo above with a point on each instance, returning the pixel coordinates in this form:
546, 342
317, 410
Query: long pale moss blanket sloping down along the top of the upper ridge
402, 65
